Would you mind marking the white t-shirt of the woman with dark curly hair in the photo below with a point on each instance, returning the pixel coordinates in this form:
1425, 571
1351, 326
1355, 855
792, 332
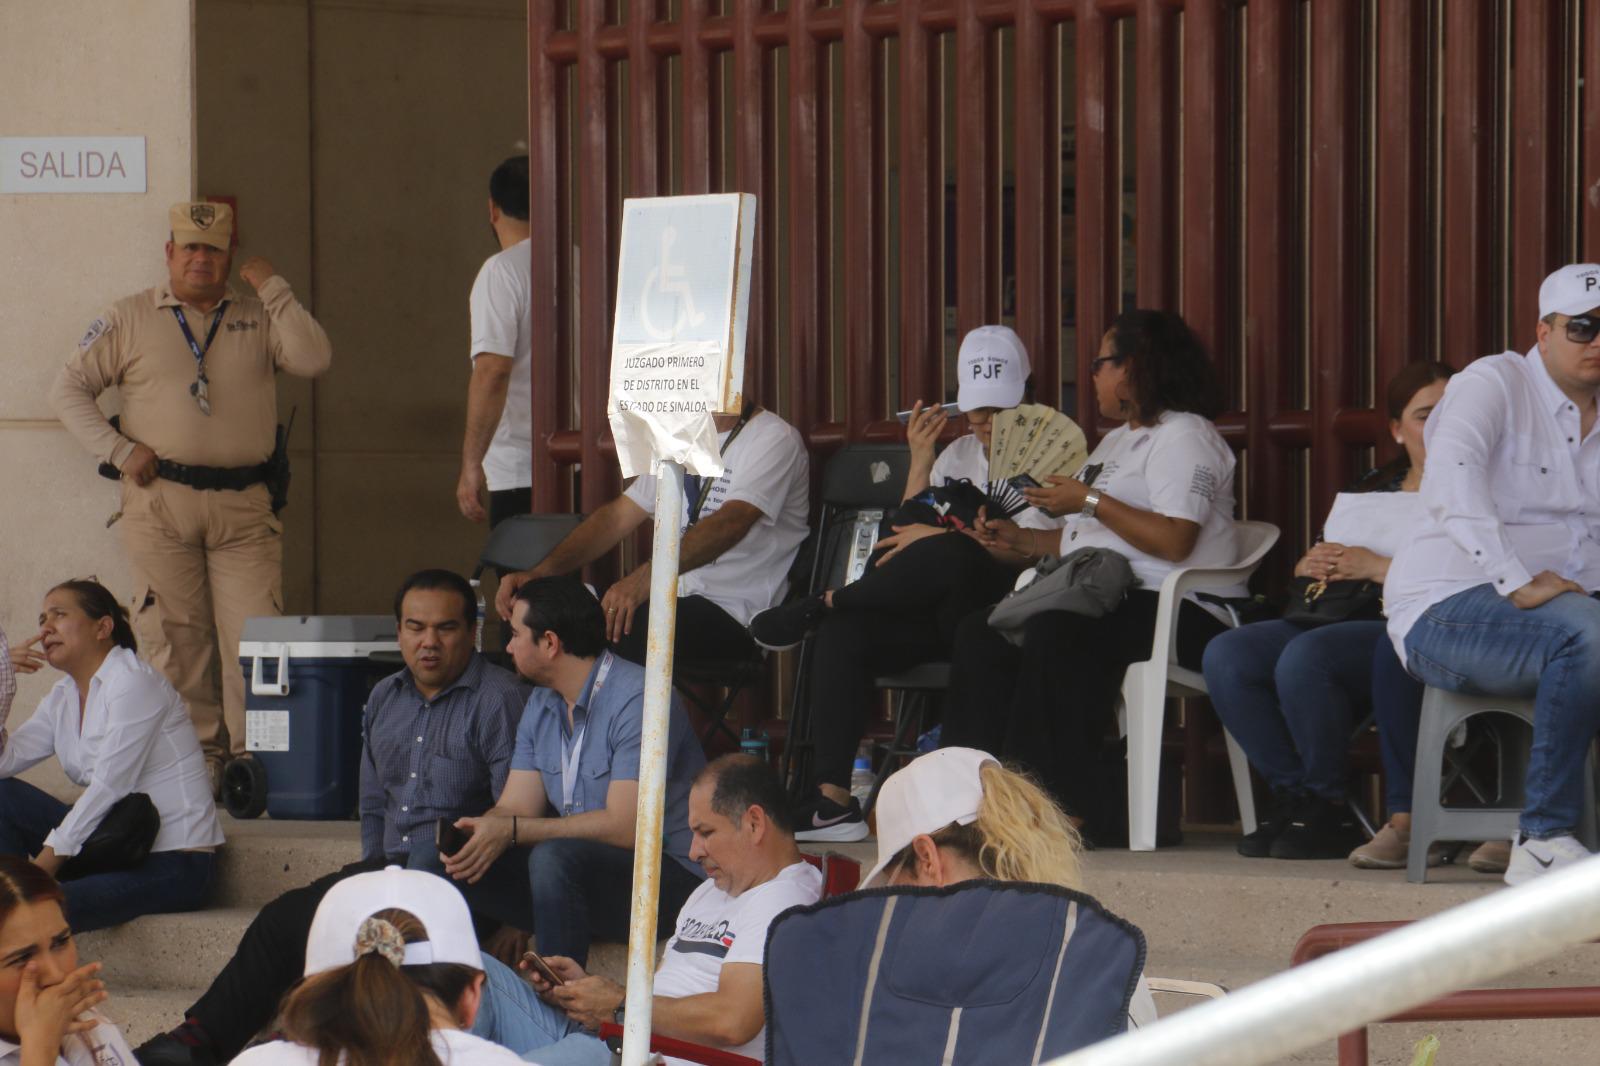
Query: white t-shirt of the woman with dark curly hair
1178, 467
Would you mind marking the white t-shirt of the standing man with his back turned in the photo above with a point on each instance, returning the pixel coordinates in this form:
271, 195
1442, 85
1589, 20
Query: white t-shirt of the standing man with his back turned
503, 324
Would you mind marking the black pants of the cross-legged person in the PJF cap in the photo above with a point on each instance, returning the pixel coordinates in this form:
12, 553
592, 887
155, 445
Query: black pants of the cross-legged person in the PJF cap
898, 615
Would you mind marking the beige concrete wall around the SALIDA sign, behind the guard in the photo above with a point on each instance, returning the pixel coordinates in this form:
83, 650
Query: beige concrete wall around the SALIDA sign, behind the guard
76, 68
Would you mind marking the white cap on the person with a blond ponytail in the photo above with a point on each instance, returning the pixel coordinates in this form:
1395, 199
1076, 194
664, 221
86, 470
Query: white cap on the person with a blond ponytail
934, 791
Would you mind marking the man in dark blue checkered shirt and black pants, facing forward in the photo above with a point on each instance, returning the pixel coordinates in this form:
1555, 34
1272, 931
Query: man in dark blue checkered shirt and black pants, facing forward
439, 740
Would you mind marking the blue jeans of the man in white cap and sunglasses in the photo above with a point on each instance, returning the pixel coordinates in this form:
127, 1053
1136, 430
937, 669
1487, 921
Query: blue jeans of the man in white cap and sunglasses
1479, 643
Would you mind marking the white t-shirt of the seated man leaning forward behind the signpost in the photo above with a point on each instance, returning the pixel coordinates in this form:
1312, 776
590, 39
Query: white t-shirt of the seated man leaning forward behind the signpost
769, 470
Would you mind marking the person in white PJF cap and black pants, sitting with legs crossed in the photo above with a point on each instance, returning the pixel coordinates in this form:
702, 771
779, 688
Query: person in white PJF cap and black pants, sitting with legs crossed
924, 580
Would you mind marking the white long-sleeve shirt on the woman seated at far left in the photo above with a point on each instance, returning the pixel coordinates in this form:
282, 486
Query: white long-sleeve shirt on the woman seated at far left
137, 739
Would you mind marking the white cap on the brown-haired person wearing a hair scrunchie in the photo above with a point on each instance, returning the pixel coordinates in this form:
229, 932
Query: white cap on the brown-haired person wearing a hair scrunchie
436, 904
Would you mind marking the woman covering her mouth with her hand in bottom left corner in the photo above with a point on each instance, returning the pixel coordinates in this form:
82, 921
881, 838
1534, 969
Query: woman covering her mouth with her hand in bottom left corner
47, 1000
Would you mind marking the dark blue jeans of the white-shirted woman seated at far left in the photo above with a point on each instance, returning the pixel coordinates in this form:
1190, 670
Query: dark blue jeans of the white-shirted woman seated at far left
164, 884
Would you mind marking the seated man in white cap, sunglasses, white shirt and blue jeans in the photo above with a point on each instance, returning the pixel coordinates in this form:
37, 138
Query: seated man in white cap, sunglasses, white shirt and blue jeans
1495, 593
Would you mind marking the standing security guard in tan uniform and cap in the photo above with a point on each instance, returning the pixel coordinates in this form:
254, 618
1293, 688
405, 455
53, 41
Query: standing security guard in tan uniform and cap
196, 361
